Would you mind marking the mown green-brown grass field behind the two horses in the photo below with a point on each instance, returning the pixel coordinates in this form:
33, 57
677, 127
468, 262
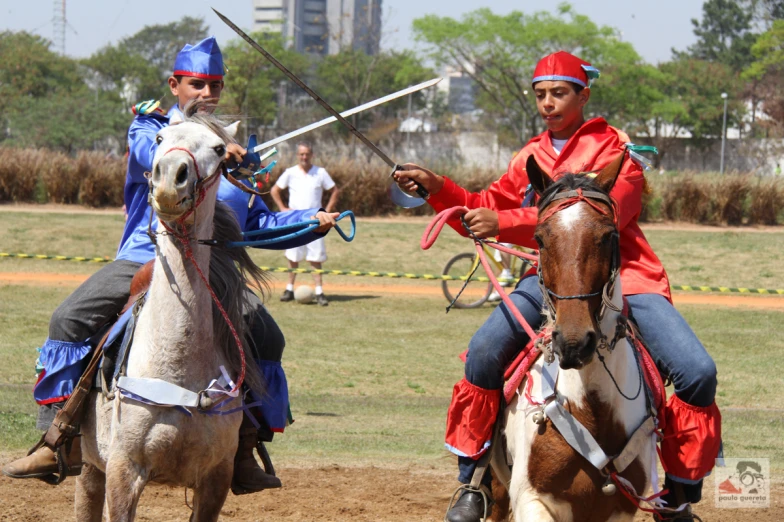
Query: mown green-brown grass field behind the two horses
371, 375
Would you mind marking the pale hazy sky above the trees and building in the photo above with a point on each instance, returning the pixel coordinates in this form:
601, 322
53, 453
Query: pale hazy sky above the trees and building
653, 27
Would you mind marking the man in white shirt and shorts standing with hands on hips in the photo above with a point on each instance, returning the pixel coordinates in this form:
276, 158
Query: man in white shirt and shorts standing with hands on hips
306, 183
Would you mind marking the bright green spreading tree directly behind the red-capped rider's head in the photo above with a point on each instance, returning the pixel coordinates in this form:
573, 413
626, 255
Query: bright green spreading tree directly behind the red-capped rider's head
499, 53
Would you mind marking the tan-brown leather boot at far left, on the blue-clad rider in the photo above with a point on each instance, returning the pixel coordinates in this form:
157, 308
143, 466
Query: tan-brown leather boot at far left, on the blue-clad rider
42, 462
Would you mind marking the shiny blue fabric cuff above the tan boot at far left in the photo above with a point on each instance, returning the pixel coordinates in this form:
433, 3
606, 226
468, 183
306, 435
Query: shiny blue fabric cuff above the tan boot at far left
63, 362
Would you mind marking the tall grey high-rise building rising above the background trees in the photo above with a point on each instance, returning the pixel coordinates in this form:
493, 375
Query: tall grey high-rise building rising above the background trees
322, 26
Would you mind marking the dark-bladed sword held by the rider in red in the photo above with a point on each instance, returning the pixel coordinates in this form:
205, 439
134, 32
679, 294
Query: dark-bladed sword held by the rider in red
401, 196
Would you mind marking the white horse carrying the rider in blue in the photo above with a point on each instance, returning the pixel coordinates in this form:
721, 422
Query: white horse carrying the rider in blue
181, 339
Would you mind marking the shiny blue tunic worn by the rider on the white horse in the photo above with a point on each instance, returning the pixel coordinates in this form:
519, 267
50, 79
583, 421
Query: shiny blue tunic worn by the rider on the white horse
135, 244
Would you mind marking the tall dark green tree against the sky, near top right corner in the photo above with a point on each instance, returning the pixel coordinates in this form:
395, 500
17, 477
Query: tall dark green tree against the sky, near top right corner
723, 35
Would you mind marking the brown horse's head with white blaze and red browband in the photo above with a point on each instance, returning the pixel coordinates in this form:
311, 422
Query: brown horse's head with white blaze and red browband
578, 255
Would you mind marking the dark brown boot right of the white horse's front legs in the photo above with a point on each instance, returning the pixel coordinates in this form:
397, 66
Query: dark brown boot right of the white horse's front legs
249, 477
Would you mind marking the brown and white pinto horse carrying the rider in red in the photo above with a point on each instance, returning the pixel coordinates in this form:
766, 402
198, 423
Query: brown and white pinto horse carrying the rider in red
599, 381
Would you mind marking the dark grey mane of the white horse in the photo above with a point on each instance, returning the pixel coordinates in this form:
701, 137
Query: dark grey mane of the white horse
232, 271
